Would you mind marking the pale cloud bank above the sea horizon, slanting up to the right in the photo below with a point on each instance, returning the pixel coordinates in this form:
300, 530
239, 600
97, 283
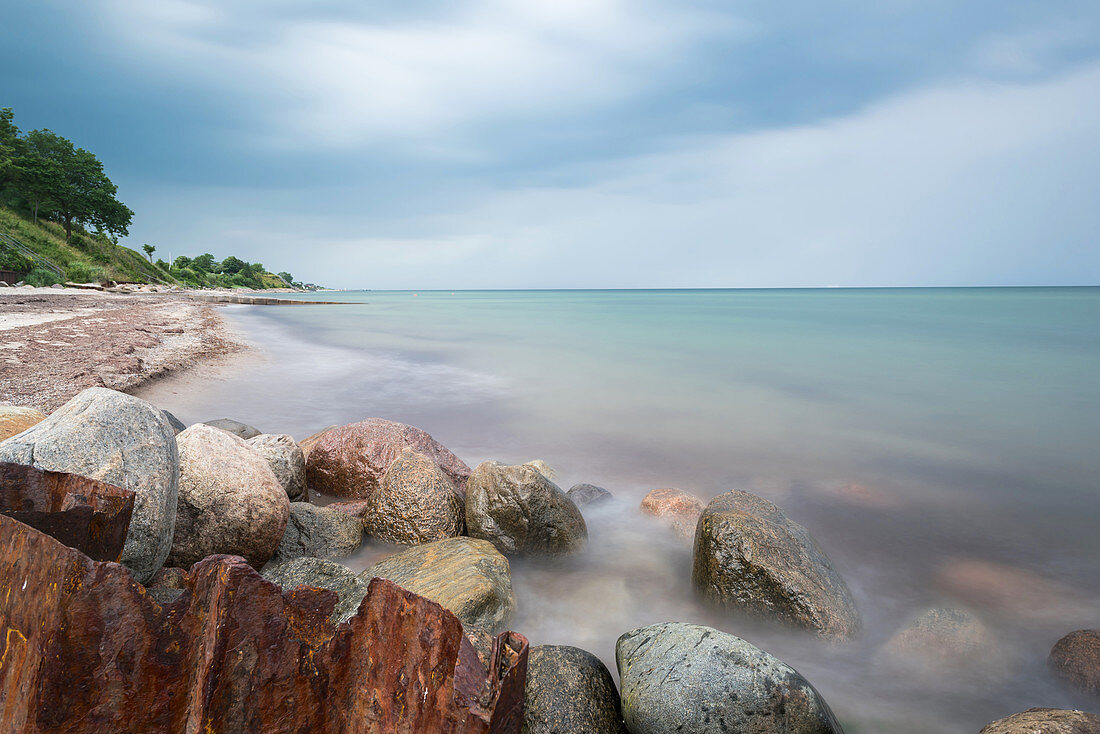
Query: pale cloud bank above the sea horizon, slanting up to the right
974, 183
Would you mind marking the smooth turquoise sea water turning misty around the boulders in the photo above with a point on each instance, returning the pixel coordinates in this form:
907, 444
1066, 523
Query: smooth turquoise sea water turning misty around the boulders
942, 445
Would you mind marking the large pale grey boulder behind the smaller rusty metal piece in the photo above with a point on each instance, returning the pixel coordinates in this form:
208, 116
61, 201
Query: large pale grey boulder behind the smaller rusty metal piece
123, 441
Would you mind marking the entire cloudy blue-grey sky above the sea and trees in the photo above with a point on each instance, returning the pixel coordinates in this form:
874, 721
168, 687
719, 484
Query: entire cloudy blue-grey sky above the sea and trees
508, 144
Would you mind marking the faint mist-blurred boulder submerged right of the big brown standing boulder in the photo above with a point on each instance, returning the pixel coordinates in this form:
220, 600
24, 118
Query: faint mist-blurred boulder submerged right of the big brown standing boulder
943, 640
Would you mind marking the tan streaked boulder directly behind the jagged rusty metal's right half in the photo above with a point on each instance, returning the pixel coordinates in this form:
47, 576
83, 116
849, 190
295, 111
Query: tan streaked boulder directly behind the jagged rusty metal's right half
466, 576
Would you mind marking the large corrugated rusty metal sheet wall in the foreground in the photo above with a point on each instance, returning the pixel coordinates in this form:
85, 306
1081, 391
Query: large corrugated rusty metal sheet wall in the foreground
90, 651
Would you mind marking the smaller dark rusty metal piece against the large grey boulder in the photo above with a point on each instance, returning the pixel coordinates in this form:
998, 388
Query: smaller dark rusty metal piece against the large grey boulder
83, 513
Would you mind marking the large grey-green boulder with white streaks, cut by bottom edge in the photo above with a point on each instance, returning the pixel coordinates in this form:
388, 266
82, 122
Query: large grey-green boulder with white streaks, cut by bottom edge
689, 678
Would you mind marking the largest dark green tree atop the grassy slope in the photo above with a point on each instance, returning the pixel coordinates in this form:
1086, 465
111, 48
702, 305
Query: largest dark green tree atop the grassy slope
71, 183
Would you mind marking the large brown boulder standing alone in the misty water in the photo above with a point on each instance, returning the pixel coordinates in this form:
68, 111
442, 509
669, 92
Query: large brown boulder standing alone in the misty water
750, 556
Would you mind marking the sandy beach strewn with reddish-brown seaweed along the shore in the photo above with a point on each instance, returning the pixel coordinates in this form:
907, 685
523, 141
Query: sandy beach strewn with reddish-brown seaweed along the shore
56, 343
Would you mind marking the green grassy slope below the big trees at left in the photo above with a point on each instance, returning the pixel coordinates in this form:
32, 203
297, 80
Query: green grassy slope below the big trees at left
48, 239
